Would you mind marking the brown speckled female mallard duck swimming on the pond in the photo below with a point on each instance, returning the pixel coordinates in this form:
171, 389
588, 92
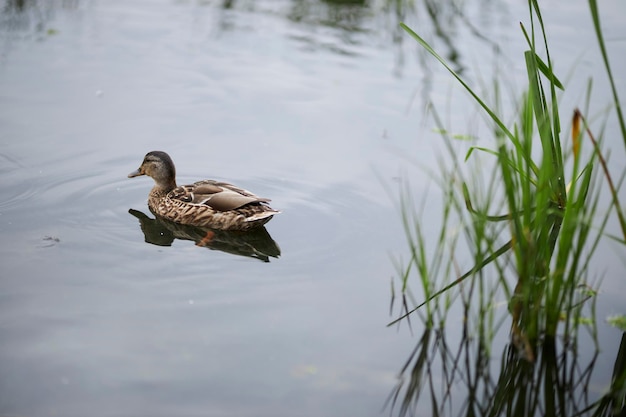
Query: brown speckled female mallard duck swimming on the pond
207, 203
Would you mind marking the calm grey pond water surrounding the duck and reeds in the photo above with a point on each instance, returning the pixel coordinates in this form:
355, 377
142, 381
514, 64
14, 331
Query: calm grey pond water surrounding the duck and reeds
318, 105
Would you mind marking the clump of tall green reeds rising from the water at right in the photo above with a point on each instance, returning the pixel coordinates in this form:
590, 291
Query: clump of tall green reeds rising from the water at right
549, 211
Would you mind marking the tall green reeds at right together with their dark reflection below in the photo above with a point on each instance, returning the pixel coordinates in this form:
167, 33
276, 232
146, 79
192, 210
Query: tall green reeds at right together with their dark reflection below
531, 222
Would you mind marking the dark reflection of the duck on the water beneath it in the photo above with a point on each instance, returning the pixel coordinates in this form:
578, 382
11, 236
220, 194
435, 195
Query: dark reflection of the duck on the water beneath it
256, 243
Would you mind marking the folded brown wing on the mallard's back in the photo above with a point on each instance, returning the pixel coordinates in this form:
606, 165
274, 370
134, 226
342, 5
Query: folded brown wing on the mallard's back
220, 196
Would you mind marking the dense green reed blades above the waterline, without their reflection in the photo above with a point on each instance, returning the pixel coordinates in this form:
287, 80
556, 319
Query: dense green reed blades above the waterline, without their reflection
548, 226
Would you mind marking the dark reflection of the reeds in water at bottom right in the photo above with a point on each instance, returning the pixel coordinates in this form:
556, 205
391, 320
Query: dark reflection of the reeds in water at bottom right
451, 378
